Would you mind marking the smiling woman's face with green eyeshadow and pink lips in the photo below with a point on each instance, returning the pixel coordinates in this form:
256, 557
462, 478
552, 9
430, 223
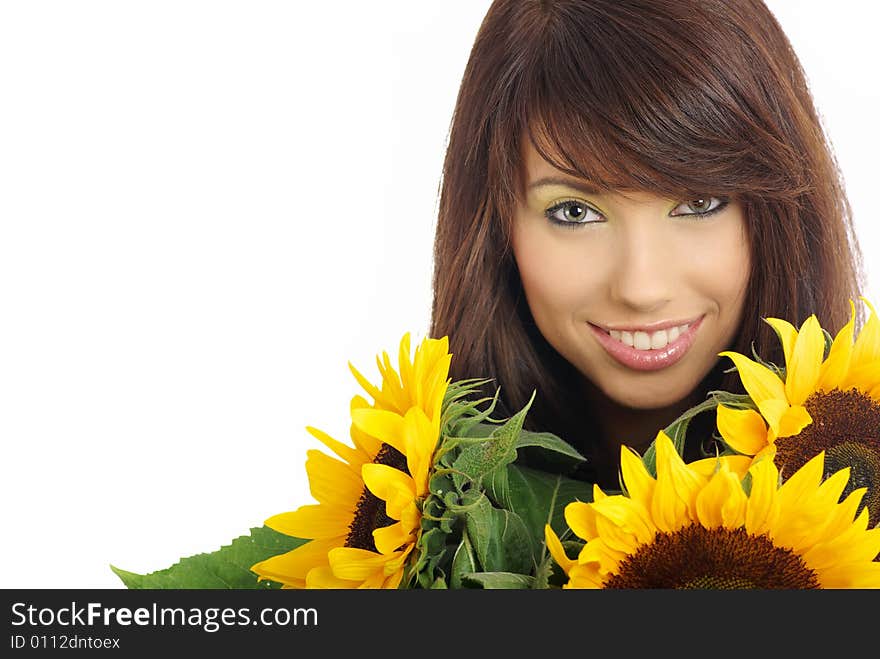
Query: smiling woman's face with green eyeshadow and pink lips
640, 293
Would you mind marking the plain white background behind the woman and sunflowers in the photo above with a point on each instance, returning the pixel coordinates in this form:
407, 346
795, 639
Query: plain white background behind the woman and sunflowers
206, 210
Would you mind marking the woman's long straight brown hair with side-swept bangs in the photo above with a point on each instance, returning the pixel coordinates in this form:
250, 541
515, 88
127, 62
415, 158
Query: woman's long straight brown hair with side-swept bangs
682, 98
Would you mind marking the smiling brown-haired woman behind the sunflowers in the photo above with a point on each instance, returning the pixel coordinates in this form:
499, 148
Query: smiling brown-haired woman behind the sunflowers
629, 188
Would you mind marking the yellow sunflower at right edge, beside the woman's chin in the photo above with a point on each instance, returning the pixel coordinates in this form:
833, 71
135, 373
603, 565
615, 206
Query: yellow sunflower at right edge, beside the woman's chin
827, 403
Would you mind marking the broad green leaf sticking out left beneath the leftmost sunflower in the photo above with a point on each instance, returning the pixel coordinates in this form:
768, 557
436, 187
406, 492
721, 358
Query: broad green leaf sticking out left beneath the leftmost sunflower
228, 567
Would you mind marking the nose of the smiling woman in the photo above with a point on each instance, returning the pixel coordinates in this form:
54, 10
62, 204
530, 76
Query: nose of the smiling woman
643, 278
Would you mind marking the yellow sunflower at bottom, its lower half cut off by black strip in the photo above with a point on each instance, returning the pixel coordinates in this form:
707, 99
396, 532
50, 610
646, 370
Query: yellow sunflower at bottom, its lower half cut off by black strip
691, 528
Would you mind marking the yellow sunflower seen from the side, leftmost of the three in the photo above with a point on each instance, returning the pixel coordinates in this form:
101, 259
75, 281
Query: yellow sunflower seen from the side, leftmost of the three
366, 522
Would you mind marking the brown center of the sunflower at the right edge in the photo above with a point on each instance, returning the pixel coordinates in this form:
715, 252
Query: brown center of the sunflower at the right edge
846, 425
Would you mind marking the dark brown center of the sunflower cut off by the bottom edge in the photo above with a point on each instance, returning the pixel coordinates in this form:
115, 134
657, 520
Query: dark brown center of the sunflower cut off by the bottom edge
695, 557
